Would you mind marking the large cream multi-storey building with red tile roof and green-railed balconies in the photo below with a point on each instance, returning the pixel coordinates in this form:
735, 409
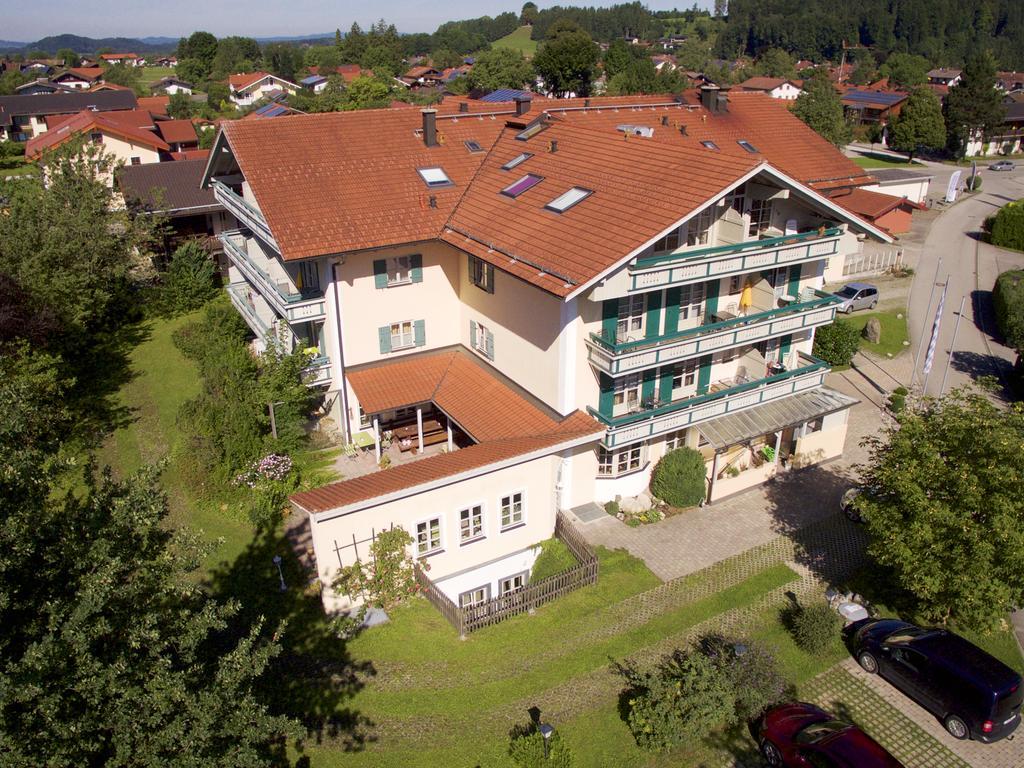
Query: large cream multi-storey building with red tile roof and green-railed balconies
554, 306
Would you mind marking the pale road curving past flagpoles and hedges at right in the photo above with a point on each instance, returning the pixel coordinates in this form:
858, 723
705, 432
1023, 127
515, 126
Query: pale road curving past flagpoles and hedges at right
953, 251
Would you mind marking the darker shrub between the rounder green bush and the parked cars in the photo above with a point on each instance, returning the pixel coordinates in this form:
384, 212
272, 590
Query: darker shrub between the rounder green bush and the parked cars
753, 672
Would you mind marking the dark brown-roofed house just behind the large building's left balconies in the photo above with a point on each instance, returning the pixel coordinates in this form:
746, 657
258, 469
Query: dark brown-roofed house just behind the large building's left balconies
174, 191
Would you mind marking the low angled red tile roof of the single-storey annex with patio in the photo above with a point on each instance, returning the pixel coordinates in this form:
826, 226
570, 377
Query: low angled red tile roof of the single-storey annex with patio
505, 423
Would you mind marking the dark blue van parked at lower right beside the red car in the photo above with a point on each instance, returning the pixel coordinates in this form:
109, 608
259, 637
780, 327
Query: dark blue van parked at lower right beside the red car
973, 694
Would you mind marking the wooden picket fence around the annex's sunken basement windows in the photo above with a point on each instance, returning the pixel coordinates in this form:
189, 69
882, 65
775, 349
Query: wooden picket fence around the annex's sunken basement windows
526, 601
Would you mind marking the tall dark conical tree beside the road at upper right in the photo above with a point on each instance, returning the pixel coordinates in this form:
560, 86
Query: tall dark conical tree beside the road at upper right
974, 107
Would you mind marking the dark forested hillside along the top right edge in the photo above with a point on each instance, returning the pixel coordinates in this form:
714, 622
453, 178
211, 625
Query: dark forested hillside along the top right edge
943, 31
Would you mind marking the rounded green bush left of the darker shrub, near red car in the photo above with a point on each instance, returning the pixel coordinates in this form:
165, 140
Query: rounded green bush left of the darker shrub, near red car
682, 699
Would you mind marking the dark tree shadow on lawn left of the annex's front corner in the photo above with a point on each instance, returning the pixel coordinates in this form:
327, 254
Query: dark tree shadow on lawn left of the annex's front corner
315, 677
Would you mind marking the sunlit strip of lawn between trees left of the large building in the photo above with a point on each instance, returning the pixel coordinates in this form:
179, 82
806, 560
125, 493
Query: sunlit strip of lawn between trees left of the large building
163, 381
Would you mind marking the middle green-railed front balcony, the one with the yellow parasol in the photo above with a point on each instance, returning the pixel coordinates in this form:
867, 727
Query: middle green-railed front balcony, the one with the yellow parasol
616, 358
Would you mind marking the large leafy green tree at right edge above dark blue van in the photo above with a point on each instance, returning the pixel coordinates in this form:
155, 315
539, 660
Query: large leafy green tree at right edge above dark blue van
945, 510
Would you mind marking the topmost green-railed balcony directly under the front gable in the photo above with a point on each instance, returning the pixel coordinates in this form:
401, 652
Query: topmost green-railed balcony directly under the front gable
697, 265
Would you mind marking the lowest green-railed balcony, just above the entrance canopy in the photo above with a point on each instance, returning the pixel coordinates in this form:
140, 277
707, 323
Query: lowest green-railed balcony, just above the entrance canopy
655, 418
